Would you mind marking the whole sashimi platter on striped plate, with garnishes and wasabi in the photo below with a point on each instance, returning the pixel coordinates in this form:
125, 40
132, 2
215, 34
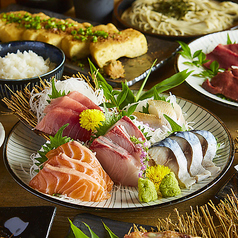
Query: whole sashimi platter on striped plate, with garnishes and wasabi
90, 146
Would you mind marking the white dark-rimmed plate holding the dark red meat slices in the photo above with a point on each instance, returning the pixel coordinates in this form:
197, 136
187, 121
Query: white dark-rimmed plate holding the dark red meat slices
206, 44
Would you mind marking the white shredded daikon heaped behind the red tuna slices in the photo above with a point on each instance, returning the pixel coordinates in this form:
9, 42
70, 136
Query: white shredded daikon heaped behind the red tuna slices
68, 85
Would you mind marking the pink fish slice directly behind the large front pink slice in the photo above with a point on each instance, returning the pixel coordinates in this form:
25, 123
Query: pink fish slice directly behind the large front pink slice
119, 135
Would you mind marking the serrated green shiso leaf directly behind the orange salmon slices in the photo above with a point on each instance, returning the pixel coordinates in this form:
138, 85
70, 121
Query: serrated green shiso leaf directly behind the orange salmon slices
54, 142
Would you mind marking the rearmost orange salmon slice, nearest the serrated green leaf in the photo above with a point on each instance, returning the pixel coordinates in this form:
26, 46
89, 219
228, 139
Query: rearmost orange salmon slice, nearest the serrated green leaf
75, 150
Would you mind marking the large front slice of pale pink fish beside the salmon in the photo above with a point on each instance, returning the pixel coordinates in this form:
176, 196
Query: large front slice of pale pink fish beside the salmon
121, 166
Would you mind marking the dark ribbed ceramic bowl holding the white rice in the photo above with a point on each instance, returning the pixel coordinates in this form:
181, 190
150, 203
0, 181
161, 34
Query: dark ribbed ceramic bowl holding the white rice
47, 51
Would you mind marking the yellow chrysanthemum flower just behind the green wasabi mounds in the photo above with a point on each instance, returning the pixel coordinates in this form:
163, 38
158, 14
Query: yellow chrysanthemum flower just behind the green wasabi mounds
156, 174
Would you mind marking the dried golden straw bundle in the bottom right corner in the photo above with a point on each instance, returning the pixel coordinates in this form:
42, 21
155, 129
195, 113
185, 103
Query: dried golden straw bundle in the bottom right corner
200, 222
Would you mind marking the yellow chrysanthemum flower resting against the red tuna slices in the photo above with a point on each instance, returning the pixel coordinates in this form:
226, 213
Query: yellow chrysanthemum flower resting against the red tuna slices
91, 118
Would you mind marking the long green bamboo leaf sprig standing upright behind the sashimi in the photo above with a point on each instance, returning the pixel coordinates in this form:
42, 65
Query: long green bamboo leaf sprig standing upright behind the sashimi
124, 100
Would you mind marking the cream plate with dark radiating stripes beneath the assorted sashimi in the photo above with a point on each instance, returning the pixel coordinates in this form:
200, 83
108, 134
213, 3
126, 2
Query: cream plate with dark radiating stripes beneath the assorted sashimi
22, 142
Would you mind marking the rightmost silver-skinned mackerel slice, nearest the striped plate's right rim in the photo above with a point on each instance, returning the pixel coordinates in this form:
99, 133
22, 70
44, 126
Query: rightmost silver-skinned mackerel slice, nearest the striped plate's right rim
209, 148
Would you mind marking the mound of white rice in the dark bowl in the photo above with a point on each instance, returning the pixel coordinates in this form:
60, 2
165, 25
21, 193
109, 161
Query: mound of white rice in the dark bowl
23, 65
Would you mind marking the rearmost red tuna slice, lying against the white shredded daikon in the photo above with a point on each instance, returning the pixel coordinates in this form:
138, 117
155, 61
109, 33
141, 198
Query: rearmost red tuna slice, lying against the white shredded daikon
65, 102
